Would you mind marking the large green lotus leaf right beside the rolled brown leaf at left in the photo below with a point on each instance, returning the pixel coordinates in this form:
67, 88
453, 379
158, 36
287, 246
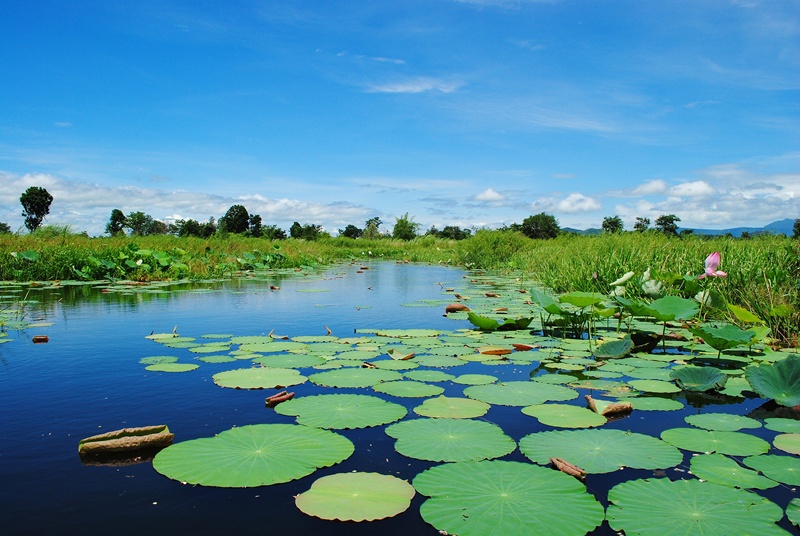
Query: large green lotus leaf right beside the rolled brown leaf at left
254, 455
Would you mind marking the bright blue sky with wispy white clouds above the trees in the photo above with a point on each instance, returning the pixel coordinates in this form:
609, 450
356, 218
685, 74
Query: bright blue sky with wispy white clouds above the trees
470, 113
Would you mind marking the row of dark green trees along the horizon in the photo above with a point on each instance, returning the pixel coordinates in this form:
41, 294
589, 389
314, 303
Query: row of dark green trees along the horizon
36, 203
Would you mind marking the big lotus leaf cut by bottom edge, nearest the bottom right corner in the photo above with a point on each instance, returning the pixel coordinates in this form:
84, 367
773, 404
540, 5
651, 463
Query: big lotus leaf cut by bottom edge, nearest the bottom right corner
686, 507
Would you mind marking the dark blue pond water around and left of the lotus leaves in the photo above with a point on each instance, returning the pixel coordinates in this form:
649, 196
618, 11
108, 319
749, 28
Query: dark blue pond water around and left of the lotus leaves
87, 380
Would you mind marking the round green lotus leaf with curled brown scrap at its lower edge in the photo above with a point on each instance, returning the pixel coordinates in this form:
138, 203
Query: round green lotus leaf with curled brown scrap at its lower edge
600, 451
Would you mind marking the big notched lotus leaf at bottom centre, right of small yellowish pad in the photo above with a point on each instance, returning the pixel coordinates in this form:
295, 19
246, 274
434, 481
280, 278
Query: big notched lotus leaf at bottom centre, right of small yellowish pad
504, 498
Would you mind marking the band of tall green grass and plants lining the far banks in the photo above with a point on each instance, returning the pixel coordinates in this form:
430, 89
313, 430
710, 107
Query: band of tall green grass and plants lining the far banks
763, 271
